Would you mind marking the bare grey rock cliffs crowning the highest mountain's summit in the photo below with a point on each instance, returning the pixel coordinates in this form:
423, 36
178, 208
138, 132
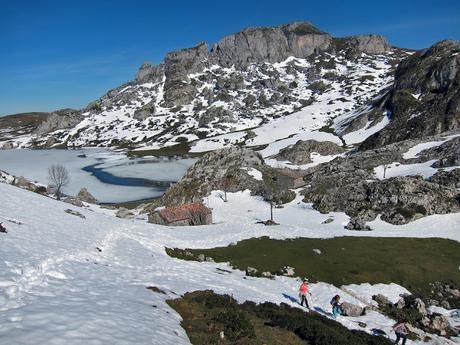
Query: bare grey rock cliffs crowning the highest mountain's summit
258, 45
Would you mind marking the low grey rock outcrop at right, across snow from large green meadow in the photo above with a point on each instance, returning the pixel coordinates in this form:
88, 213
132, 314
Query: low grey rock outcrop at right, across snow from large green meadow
399, 200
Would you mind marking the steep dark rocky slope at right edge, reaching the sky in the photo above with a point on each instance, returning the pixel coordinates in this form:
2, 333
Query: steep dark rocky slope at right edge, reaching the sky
425, 98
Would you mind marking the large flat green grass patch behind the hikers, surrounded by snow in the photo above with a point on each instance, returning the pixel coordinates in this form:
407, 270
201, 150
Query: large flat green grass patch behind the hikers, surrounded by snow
411, 262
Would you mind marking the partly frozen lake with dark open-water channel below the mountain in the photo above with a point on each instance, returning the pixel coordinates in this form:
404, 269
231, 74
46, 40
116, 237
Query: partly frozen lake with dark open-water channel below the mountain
110, 176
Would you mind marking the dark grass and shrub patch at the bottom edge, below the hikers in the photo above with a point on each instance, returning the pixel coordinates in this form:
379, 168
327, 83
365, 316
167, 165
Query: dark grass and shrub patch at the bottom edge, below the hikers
206, 314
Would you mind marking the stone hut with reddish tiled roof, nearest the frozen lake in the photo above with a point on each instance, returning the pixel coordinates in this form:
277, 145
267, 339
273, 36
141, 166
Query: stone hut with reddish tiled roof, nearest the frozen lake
189, 214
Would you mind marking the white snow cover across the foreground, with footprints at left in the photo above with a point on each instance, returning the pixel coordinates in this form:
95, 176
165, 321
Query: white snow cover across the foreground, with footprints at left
69, 280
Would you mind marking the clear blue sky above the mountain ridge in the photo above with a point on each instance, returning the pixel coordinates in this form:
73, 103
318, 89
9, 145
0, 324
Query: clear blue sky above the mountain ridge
57, 54
